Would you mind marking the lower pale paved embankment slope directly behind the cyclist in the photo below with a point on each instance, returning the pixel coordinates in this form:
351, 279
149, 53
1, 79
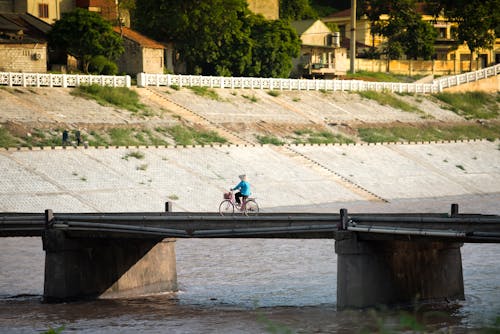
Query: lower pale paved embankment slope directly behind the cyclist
377, 178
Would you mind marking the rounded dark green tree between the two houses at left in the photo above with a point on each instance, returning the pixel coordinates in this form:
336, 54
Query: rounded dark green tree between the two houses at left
85, 34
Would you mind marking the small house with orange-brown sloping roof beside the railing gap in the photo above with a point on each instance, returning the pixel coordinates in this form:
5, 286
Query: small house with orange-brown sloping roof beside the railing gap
142, 54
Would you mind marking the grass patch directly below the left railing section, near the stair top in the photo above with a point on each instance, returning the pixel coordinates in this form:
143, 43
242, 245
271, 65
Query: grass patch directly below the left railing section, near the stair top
121, 97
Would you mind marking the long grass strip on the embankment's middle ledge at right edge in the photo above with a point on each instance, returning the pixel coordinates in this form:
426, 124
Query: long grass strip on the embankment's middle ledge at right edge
430, 133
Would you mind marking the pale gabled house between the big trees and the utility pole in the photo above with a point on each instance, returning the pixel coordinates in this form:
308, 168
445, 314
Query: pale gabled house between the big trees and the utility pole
321, 55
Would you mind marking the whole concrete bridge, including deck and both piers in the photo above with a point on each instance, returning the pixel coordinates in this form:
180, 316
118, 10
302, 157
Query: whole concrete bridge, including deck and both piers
382, 258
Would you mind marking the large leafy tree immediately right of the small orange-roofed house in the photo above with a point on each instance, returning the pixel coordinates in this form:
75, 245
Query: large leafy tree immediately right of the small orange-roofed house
207, 34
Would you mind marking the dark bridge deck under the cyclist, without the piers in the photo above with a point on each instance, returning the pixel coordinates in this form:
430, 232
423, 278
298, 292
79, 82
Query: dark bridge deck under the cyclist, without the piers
158, 225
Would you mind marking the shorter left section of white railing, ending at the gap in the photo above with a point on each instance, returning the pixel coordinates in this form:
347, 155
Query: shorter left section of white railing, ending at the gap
61, 80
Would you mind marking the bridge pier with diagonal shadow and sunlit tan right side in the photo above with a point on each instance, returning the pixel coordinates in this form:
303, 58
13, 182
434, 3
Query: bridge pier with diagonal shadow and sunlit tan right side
78, 268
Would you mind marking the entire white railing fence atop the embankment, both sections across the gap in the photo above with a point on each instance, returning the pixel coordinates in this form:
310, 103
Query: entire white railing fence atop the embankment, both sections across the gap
145, 80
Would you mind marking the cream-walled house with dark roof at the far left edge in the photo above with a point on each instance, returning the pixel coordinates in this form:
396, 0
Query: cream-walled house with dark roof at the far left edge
23, 43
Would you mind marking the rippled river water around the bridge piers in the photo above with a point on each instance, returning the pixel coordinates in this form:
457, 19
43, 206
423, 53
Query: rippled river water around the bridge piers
237, 286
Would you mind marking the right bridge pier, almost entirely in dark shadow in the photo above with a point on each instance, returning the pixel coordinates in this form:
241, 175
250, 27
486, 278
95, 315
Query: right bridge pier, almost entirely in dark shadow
371, 273
